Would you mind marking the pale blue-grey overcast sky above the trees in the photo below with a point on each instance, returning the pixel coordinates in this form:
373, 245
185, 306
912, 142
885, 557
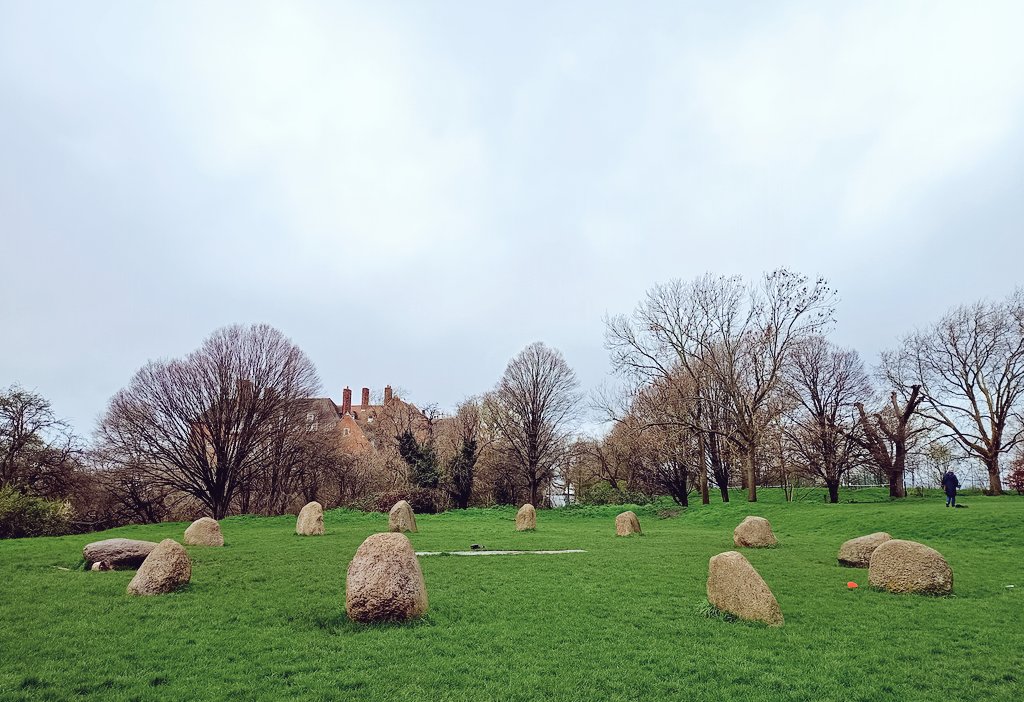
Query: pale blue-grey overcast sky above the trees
414, 192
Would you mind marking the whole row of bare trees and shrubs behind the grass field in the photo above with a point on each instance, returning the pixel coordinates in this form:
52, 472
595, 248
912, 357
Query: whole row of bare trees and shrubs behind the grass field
722, 383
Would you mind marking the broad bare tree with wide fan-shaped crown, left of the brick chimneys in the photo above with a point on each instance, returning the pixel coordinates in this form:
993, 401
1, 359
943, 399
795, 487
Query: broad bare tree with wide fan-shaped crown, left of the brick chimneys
205, 425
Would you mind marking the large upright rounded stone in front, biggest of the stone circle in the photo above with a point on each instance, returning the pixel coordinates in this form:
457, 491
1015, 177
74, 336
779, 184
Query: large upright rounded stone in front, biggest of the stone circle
386, 583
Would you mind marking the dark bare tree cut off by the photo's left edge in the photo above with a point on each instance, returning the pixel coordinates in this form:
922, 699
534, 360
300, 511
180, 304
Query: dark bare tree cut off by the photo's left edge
38, 452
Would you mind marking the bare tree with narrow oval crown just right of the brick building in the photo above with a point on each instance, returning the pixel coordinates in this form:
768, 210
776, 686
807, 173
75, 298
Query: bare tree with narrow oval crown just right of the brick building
533, 408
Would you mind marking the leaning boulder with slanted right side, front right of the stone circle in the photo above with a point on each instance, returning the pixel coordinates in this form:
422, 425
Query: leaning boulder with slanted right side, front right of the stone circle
735, 587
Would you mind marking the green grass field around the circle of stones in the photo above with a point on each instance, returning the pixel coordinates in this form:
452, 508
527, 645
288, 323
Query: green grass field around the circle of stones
265, 619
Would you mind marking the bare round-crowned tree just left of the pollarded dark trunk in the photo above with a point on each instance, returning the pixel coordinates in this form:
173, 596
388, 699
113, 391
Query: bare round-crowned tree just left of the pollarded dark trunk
826, 383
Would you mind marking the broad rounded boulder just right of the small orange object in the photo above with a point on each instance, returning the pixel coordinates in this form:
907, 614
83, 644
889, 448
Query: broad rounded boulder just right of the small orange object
901, 566
